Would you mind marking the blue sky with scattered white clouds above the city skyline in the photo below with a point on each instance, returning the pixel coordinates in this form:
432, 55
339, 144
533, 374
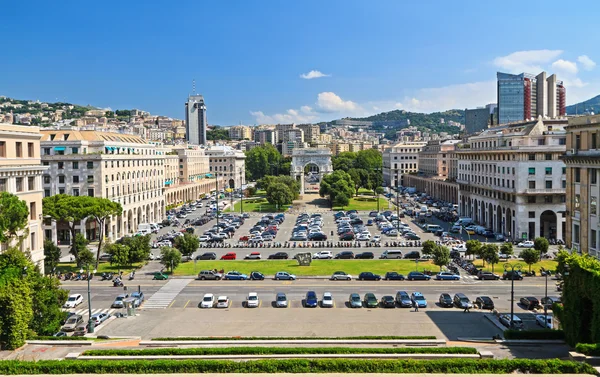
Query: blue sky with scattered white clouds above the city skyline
248, 57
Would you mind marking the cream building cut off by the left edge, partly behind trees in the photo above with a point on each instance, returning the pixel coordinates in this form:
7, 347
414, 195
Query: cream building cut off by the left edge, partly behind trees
21, 174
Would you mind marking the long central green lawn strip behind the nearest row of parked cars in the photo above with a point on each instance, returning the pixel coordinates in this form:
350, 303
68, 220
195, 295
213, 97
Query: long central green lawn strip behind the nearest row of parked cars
317, 267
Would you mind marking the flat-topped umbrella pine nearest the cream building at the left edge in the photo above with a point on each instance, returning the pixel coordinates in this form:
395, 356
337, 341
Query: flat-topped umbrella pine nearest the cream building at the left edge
67, 208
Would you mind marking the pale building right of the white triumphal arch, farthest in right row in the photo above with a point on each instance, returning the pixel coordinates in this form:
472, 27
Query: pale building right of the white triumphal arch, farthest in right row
398, 160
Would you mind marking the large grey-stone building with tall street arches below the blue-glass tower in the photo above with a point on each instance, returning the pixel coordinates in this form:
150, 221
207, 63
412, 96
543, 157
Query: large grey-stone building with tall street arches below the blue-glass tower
512, 180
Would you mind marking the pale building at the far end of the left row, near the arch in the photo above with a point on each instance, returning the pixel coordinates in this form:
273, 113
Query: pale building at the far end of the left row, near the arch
229, 163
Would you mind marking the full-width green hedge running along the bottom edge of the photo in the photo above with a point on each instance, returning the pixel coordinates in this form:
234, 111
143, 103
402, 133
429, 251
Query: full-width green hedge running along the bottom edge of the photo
553, 366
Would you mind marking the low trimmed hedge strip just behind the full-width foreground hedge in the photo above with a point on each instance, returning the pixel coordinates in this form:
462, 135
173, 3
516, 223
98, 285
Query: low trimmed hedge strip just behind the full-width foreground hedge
276, 351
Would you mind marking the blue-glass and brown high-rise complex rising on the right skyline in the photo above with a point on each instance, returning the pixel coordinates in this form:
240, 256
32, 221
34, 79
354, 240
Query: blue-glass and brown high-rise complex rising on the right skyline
526, 96
